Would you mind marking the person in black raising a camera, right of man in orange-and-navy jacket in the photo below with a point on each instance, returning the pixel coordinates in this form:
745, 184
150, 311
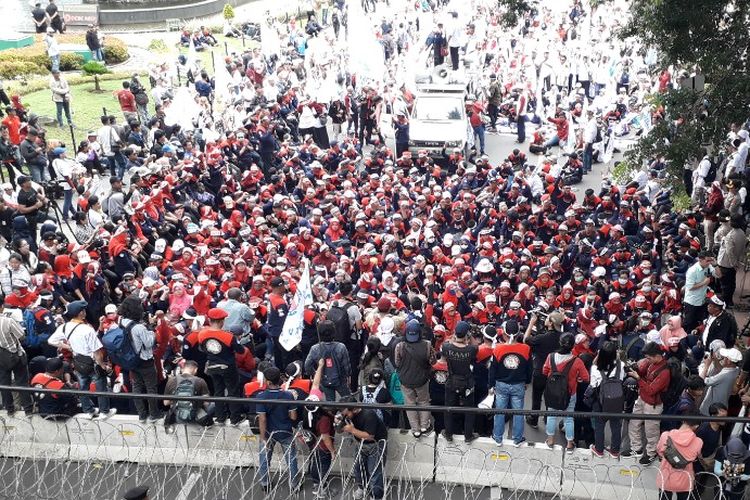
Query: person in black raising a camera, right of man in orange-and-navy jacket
542, 343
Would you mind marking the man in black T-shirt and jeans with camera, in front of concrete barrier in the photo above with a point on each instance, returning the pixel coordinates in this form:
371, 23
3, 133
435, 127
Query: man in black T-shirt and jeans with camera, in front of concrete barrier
371, 435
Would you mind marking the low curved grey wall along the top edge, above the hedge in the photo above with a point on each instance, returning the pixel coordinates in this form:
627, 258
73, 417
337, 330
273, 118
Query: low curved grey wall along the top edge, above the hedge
156, 14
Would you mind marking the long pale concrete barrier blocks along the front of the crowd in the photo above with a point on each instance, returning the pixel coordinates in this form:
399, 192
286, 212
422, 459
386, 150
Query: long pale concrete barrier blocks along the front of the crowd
410, 463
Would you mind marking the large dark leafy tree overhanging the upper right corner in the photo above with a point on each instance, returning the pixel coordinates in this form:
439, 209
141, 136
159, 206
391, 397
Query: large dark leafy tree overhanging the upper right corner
709, 38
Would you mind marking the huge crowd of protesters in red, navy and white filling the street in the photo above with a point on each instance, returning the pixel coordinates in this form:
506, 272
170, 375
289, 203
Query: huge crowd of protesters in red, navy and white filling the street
453, 281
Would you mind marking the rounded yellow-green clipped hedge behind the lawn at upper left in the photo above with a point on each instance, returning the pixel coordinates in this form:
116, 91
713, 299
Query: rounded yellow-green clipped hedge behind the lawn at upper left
33, 60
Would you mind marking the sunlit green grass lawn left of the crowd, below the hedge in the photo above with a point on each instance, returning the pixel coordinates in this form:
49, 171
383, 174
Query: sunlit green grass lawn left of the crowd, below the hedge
85, 106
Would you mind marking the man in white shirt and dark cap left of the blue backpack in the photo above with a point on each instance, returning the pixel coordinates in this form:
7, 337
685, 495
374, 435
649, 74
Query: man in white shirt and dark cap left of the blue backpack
89, 357
